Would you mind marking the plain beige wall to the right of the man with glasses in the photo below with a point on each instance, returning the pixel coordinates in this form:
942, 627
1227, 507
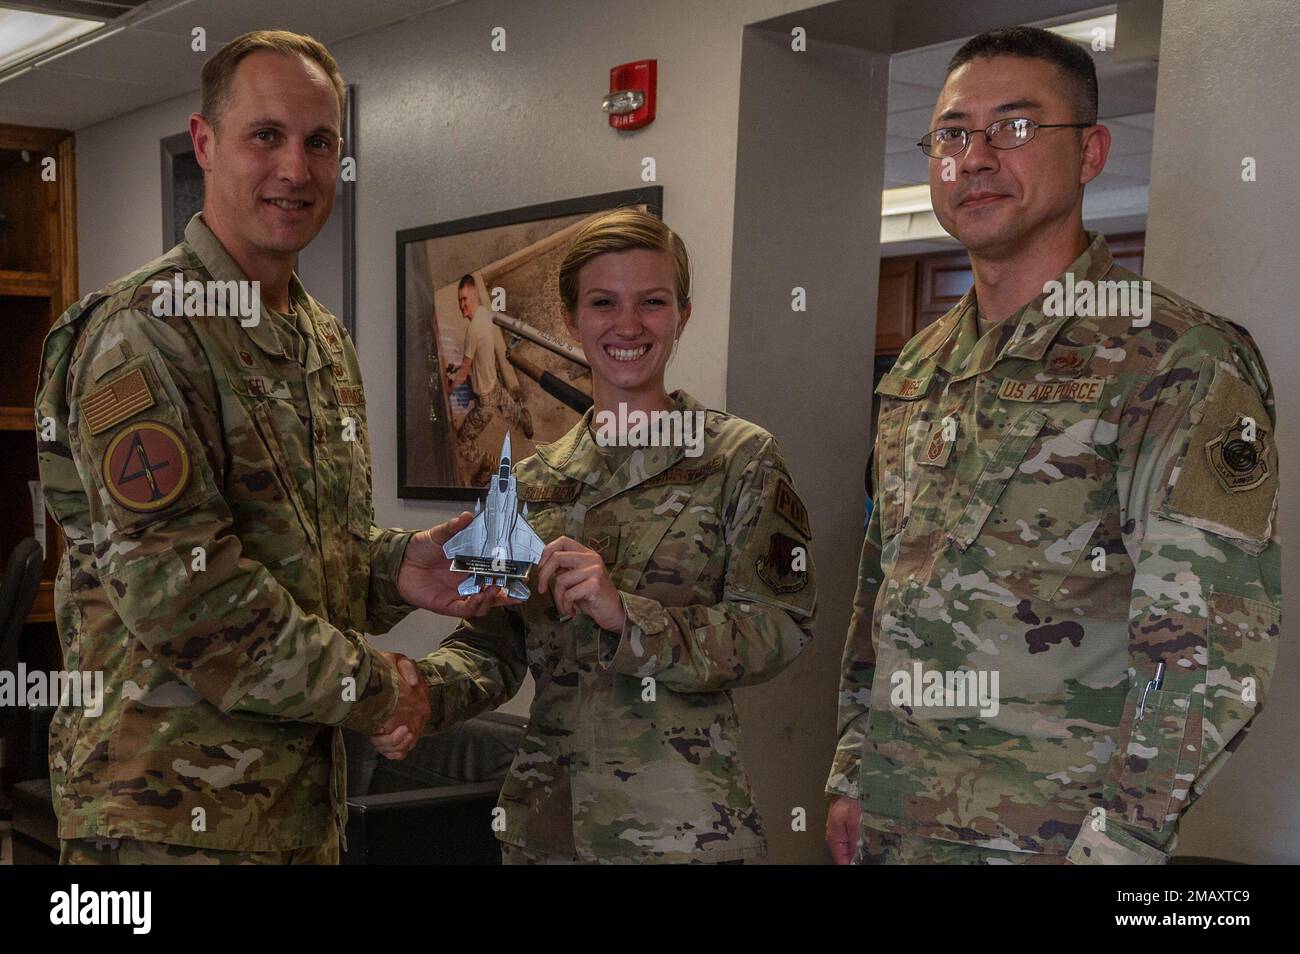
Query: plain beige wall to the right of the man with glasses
1229, 75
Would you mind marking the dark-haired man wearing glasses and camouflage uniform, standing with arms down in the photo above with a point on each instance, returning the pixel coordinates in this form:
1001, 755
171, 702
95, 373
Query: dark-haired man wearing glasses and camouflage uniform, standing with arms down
1068, 608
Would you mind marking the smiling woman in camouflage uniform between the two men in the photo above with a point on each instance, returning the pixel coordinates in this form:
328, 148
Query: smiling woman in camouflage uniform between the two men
673, 575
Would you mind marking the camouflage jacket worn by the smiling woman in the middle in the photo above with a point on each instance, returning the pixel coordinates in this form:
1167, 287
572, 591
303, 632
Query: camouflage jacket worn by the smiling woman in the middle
634, 747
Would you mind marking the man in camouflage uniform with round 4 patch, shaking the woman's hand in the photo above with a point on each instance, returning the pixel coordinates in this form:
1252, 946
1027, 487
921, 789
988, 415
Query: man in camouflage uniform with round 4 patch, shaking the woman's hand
211, 475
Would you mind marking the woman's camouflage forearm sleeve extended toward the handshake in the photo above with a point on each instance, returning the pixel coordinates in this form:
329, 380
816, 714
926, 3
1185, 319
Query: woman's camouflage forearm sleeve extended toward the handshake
479, 667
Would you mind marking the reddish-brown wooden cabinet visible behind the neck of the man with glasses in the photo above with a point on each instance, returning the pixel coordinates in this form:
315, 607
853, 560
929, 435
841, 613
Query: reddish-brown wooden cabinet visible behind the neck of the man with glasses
917, 290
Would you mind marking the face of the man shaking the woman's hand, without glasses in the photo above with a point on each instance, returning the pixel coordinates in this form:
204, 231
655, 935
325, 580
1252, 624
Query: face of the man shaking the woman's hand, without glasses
272, 163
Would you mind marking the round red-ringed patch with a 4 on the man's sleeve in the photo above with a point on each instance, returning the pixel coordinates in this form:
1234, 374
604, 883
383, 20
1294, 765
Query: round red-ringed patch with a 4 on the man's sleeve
146, 467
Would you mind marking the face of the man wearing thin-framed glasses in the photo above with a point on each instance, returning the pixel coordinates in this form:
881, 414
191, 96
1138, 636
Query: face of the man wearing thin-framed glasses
1000, 202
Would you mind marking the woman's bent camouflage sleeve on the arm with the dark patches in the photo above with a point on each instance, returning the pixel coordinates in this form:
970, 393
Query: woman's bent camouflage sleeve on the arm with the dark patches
769, 597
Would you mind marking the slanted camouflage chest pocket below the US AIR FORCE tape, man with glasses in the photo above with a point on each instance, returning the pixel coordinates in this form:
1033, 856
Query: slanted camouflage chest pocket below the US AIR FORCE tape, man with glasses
1035, 508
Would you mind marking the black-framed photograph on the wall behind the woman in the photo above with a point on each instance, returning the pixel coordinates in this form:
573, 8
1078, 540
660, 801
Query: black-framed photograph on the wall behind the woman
483, 350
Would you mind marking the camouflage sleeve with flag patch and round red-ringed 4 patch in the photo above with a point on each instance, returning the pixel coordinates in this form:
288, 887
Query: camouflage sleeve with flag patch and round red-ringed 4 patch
171, 566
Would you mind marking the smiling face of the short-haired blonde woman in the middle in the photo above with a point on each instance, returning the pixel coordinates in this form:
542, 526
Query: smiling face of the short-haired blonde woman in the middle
627, 320
